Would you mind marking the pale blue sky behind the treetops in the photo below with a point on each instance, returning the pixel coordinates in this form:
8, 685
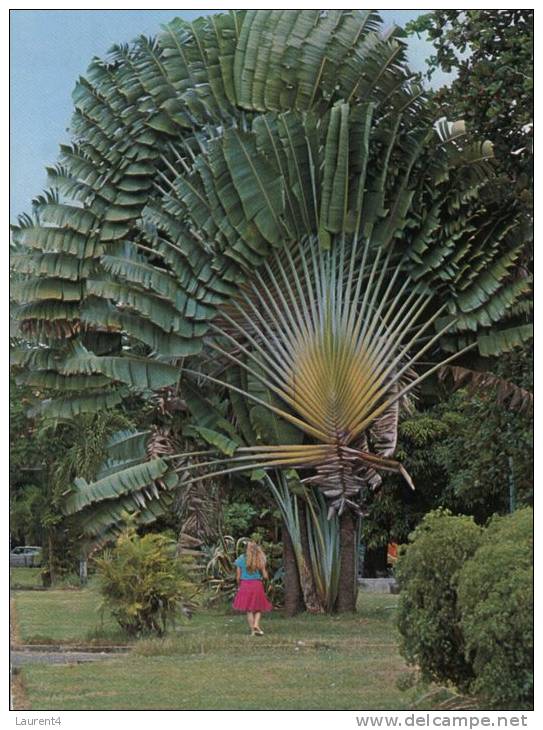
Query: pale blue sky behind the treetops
50, 48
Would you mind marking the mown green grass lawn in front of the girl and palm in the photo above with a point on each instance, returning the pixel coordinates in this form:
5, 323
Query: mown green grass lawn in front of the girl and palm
302, 663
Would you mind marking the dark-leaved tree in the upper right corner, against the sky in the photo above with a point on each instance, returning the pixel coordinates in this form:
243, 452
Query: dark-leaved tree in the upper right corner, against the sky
491, 52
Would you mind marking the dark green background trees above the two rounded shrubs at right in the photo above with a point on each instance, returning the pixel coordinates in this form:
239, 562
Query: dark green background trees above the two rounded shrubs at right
467, 451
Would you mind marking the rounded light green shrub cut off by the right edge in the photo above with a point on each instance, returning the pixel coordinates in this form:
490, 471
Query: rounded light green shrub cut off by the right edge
495, 597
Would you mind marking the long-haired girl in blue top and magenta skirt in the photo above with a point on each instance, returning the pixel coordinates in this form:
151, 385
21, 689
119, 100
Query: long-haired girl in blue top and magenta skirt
250, 569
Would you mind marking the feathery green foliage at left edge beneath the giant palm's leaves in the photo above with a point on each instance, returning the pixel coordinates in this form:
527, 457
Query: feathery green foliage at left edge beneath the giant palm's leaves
46, 456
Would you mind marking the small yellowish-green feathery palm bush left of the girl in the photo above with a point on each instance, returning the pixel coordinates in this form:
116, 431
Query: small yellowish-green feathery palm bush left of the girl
143, 584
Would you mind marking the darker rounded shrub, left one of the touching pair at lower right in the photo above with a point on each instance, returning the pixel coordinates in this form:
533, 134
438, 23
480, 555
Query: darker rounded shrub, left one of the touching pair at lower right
429, 616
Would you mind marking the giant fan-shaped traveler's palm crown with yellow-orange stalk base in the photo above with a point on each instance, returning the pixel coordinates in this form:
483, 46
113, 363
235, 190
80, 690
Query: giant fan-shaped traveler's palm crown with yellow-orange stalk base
261, 202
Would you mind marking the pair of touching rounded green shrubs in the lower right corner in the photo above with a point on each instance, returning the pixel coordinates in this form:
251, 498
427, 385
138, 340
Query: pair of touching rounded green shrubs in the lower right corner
466, 606
